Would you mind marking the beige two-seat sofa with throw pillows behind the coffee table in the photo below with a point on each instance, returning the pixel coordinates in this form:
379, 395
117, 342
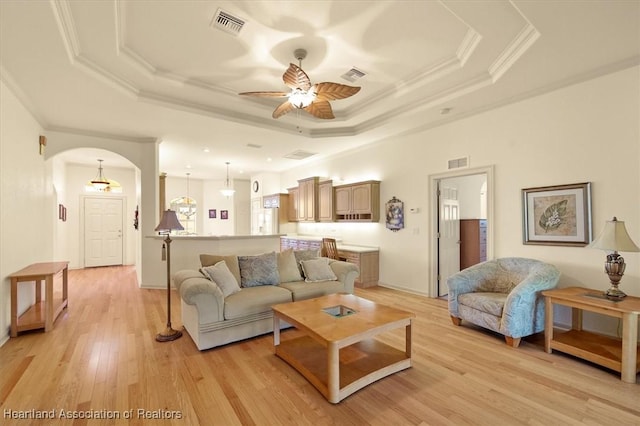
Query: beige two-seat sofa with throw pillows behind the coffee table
215, 313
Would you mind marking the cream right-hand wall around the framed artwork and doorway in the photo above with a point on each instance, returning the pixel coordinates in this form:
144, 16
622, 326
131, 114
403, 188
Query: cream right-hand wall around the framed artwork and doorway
585, 132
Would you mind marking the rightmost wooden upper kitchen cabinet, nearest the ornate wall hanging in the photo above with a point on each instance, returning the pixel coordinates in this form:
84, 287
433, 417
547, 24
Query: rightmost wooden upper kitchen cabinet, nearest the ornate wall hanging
358, 202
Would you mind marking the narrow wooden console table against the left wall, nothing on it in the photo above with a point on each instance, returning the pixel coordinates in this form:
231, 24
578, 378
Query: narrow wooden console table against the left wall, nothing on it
43, 313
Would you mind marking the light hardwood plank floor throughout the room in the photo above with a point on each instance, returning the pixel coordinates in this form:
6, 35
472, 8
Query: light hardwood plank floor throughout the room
101, 358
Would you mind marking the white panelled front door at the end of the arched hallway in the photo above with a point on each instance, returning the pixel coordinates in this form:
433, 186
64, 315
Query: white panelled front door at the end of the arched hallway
103, 231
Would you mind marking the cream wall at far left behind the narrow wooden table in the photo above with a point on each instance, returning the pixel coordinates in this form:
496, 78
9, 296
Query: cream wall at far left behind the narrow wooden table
27, 202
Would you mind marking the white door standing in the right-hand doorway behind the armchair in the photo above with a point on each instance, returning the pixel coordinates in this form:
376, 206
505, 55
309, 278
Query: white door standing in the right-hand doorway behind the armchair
448, 235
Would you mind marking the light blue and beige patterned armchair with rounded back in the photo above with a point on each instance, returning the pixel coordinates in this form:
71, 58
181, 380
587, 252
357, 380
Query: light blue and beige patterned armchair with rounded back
503, 295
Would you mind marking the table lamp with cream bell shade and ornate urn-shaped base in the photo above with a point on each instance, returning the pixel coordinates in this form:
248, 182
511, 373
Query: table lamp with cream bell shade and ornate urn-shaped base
614, 238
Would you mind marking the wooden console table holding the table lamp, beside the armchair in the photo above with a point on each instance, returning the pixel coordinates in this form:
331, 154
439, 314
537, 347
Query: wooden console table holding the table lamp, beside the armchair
622, 355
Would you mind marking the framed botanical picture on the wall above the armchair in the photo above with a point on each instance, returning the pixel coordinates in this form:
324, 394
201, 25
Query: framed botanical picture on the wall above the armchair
557, 215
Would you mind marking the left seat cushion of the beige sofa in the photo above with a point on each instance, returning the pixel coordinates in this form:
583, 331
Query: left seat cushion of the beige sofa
254, 300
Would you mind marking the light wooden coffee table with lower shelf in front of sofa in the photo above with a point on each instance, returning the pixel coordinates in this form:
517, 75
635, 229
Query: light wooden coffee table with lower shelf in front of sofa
338, 353
